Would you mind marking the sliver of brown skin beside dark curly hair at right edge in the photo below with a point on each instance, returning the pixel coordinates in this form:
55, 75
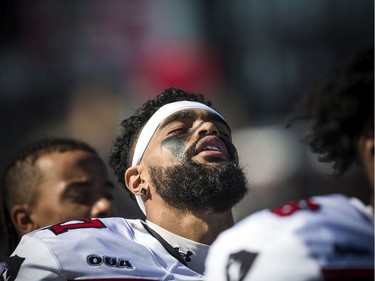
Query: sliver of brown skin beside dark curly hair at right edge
366, 151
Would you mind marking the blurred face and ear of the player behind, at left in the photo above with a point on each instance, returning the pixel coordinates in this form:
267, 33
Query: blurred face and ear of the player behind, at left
74, 184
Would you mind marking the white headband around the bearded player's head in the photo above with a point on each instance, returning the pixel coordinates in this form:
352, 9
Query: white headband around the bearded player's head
154, 122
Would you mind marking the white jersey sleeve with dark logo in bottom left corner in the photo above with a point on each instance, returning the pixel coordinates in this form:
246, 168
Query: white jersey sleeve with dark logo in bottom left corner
32, 260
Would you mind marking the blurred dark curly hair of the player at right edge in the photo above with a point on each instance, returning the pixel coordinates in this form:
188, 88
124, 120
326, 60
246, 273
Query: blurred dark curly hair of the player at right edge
342, 107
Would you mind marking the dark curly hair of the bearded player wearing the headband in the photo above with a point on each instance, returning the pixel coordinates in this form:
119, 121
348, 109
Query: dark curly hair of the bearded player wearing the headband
123, 146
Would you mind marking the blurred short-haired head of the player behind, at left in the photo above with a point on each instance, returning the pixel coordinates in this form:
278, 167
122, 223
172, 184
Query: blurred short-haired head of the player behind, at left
51, 181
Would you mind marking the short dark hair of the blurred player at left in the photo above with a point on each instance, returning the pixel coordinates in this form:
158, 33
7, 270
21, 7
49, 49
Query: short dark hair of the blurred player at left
20, 177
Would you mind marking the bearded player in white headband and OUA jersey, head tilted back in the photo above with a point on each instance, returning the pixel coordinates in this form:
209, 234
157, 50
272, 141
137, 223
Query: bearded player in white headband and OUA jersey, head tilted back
175, 156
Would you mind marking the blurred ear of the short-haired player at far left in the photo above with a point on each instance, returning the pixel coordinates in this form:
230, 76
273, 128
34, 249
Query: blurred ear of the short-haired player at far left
21, 218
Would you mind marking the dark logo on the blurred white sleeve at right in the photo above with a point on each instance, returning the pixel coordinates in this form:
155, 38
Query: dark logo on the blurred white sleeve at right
239, 264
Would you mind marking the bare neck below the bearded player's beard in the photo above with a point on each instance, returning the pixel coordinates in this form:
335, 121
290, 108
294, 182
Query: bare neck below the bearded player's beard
203, 227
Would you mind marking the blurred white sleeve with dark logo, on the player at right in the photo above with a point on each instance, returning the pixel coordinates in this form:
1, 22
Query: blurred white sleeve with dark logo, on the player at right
257, 249
